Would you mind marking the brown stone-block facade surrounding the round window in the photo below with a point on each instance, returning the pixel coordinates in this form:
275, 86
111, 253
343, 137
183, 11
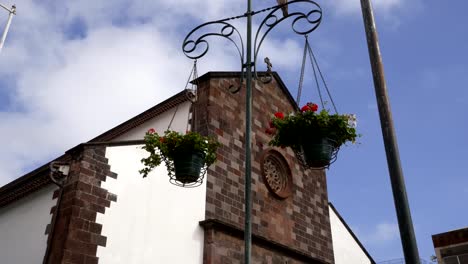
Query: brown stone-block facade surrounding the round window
300, 222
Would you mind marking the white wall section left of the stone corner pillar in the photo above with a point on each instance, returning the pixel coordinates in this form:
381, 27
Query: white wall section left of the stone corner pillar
22, 227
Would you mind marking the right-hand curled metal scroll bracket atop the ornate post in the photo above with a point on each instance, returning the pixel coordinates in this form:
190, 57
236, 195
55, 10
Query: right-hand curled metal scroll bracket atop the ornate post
311, 20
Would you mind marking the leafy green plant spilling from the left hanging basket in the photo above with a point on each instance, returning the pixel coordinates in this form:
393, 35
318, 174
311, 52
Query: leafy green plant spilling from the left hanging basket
172, 144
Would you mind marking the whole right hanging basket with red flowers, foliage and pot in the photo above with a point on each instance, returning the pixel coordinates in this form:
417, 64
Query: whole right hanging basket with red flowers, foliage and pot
314, 136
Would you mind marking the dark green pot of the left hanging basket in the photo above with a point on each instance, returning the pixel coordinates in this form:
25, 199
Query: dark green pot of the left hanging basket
188, 166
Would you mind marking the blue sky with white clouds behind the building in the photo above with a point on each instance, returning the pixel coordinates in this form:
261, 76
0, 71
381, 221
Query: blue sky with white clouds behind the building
71, 70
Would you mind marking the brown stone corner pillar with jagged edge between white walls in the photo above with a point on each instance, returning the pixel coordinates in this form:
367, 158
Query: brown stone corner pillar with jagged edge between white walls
76, 235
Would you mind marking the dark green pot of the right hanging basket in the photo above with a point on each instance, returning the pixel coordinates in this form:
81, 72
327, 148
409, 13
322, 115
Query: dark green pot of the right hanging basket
319, 153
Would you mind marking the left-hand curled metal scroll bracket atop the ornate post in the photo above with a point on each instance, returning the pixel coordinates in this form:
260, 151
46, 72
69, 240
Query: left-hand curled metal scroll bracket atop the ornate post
196, 47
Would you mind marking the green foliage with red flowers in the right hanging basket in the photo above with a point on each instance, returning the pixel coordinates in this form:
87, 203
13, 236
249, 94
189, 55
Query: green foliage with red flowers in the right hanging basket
309, 126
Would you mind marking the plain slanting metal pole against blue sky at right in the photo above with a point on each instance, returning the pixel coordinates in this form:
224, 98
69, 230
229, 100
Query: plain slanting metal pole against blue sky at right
410, 248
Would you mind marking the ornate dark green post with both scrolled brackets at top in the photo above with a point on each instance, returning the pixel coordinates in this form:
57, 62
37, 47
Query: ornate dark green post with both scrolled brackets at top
196, 46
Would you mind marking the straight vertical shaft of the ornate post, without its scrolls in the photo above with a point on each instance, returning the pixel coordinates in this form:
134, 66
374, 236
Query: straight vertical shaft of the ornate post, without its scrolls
248, 125
